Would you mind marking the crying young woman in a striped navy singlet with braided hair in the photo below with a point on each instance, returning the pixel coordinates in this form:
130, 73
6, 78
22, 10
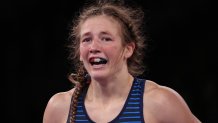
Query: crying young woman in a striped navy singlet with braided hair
108, 44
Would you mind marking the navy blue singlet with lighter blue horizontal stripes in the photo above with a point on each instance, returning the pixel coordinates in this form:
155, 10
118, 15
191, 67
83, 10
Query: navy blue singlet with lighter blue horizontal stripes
132, 112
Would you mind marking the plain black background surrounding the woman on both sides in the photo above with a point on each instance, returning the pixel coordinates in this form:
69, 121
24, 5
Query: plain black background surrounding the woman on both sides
182, 54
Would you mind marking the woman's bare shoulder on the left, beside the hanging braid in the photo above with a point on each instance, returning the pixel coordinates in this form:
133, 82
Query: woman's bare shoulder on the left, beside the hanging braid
57, 108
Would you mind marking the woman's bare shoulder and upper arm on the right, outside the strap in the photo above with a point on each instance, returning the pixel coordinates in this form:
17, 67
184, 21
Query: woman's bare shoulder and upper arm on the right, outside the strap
163, 104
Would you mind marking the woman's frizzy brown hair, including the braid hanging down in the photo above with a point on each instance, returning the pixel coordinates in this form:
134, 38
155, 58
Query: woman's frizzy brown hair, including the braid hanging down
131, 21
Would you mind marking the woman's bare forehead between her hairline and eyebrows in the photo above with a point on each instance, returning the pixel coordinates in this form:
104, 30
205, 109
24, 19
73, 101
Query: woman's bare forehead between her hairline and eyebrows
101, 23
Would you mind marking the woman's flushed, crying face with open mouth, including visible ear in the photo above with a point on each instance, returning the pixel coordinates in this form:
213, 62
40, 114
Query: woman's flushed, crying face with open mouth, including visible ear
101, 48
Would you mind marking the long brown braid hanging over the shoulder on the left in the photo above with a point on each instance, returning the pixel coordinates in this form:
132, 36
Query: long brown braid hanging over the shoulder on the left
81, 82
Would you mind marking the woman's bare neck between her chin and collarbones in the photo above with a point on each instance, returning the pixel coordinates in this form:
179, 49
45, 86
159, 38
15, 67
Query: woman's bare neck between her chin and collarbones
116, 87
